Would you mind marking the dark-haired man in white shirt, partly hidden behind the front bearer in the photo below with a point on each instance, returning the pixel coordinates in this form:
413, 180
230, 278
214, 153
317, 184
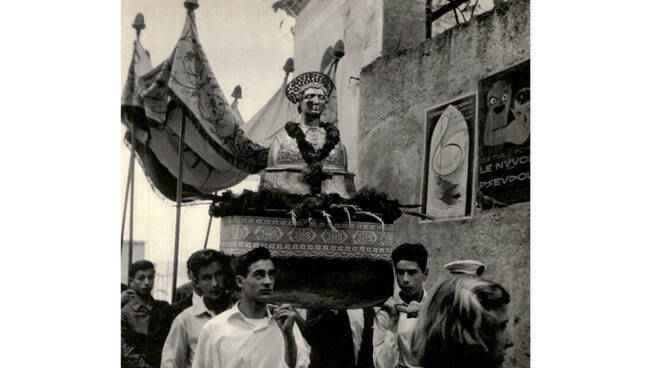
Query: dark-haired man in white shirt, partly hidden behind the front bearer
210, 271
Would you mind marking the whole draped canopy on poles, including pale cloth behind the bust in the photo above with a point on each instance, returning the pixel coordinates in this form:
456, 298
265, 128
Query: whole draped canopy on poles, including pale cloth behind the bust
220, 149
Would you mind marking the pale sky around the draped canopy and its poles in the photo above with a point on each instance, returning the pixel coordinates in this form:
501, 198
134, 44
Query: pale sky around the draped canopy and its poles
246, 43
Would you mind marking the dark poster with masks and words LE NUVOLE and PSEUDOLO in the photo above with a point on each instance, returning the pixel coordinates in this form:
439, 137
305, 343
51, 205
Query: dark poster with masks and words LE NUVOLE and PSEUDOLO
504, 137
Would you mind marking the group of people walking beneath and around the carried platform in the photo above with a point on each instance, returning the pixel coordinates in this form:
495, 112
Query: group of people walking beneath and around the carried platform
222, 319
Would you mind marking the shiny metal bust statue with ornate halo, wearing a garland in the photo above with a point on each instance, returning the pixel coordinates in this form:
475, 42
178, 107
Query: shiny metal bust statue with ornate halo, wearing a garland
308, 157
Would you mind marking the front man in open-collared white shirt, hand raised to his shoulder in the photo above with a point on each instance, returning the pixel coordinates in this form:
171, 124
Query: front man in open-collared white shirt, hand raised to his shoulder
252, 333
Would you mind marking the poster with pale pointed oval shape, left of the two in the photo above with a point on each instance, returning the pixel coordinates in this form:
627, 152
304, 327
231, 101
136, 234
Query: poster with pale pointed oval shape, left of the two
447, 192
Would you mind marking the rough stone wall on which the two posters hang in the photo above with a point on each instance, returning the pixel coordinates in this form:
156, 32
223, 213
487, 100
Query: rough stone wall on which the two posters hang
395, 91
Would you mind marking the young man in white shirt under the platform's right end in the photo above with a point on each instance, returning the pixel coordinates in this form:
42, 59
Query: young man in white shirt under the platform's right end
396, 320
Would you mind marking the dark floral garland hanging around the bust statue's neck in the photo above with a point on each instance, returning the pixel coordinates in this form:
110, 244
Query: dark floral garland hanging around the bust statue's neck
314, 175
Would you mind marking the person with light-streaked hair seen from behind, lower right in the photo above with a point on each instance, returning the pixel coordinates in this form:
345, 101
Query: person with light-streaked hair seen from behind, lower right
456, 327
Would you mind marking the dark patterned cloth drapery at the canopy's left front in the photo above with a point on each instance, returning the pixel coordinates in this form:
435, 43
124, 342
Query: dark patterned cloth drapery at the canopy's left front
216, 153
